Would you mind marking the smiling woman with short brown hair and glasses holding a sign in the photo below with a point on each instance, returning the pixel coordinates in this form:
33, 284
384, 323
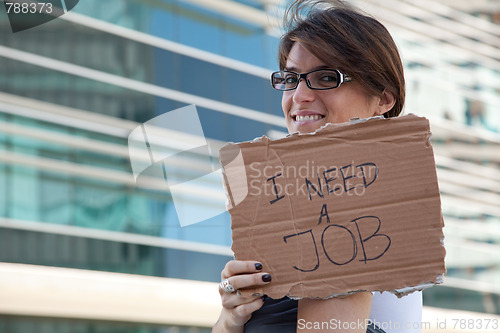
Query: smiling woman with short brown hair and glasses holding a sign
336, 64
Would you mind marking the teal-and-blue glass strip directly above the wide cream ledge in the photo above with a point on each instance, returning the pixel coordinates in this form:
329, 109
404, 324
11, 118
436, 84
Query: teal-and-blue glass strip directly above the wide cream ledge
36, 248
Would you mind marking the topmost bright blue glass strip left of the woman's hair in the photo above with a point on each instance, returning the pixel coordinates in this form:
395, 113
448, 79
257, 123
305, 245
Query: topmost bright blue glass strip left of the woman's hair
188, 24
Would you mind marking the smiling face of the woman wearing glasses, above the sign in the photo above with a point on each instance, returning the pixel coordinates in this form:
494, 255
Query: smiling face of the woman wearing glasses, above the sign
306, 109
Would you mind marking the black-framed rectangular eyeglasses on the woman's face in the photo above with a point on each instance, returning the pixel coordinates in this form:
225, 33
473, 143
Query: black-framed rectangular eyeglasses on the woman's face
320, 79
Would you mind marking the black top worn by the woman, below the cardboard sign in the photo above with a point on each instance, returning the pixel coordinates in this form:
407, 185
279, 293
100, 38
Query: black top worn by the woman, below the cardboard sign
281, 316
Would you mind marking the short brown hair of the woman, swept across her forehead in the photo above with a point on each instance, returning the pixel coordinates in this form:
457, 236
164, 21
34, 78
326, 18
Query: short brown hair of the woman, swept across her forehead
356, 44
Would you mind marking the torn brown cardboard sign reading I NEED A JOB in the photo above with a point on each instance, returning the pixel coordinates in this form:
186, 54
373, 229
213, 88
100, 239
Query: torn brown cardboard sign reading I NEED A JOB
353, 207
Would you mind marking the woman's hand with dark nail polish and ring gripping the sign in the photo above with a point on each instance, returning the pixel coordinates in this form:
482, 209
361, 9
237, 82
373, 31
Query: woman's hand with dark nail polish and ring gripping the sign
237, 308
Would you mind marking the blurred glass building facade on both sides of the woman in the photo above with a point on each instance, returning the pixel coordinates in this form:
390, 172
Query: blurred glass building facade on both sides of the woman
72, 90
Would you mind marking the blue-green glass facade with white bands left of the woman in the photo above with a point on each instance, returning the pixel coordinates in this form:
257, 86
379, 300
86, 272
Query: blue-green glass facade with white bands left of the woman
61, 168
